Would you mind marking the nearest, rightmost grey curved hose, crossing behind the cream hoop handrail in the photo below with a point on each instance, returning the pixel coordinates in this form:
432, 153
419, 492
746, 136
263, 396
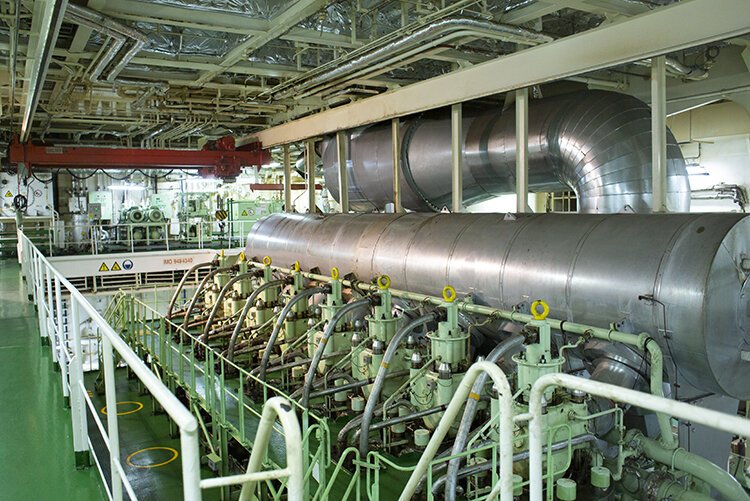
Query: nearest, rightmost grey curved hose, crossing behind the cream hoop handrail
470, 411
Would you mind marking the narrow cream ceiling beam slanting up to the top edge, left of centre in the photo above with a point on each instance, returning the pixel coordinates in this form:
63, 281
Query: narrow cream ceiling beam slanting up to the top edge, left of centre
279, 25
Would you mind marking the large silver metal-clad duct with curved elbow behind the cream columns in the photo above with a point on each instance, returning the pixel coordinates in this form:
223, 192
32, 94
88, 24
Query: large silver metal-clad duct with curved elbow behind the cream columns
595, 143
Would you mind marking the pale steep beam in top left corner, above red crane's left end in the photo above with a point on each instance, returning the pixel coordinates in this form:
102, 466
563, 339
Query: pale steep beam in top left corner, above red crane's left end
45, 25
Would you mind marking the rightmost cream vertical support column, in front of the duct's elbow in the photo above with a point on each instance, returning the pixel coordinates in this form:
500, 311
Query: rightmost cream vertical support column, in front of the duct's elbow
659, 134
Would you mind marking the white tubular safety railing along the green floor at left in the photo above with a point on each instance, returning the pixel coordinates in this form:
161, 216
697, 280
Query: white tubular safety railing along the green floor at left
50, 290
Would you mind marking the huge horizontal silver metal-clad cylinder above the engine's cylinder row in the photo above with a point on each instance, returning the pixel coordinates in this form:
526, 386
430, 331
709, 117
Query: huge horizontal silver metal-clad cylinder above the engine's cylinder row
679, 277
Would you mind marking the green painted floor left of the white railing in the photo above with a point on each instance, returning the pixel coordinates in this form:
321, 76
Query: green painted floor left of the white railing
36, 445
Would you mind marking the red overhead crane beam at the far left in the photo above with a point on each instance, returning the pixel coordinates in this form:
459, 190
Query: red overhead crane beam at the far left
217, 159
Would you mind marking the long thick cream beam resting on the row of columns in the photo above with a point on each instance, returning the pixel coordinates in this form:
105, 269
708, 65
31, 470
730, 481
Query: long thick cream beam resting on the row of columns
647, 35
